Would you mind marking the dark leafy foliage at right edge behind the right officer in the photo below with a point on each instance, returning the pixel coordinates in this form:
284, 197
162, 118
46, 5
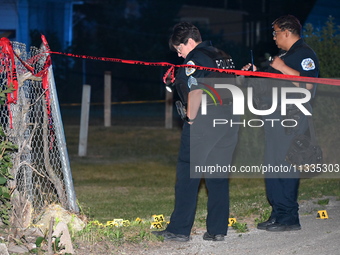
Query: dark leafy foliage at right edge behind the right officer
325, 43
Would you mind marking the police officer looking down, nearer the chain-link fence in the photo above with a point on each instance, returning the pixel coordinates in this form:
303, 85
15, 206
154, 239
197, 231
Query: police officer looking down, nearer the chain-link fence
200, 143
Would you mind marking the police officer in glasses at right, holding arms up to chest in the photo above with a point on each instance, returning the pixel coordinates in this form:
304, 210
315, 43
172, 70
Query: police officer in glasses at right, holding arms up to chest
296, 58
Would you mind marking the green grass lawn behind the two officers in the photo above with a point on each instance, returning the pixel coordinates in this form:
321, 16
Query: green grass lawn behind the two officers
129, 172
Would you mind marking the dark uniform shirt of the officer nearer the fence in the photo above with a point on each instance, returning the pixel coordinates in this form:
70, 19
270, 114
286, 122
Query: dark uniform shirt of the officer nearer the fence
202, 55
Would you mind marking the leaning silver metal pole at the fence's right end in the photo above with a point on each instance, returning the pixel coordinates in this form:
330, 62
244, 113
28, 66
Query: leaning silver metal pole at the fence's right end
60, 134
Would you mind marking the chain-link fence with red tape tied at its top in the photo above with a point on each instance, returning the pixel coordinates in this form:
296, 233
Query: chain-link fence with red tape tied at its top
31, 120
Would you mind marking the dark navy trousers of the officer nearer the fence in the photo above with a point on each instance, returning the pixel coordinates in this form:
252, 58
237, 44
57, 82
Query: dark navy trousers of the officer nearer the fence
186, 188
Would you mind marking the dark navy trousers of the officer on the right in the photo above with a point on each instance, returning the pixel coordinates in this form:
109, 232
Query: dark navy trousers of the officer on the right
282, 187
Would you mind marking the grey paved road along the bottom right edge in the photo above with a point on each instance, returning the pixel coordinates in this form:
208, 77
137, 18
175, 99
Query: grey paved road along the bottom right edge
318, 236
